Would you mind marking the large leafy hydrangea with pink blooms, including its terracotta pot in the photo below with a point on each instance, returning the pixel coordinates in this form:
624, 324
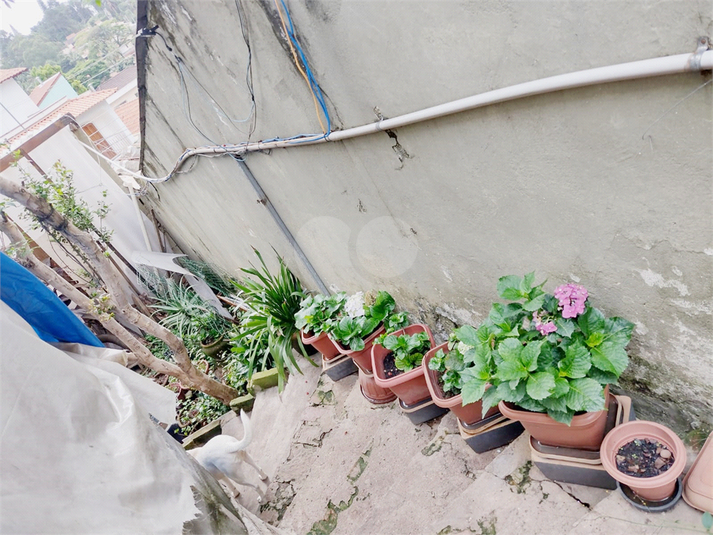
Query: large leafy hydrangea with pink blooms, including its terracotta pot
549, 359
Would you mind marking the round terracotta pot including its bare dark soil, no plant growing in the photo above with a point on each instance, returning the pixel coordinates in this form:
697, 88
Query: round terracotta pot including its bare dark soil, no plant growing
646, 457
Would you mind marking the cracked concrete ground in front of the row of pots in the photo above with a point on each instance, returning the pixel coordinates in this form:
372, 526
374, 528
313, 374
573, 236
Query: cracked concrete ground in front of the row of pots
338, 464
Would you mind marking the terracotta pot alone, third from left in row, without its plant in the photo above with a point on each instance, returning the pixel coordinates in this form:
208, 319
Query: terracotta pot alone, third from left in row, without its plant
410, 387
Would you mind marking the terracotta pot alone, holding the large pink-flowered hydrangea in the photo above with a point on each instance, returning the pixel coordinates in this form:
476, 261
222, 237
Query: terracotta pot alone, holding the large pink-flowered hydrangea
586, 431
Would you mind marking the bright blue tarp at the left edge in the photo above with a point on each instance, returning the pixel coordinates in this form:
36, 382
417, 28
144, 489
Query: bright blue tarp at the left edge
38, 306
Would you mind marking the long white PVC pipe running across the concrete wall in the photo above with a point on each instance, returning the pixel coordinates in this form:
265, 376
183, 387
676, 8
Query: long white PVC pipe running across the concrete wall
680, 63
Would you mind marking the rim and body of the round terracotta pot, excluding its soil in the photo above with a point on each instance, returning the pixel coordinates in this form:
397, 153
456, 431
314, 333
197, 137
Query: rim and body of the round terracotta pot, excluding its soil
657, 488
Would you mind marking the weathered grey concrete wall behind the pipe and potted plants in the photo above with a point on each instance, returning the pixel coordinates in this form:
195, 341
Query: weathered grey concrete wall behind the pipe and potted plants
609, 185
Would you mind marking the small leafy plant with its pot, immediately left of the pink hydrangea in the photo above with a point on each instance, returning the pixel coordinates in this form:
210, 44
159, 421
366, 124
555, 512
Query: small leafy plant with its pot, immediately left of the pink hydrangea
444, 368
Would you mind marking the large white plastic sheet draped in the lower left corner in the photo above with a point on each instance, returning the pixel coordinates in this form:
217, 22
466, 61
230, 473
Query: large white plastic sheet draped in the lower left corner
79, 453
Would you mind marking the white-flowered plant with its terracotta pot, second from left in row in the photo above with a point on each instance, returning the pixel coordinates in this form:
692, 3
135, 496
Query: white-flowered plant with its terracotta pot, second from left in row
363, 319
